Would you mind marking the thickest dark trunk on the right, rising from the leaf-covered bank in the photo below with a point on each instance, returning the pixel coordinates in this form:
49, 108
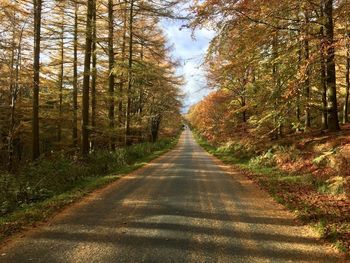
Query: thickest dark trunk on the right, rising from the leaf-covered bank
332, 106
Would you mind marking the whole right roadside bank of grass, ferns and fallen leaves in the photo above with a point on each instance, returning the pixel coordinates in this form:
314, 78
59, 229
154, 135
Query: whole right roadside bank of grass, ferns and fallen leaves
300, 173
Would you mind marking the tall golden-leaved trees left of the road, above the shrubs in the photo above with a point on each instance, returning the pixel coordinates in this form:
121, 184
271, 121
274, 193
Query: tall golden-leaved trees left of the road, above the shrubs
79, 77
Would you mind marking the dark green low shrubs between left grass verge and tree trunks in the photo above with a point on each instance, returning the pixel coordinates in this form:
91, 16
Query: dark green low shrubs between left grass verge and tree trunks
48, 177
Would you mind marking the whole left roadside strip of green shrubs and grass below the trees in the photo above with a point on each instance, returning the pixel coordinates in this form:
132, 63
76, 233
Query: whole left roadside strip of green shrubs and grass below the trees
43, 188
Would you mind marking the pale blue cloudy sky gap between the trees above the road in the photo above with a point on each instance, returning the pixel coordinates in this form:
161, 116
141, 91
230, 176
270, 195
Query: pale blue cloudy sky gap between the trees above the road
190, 52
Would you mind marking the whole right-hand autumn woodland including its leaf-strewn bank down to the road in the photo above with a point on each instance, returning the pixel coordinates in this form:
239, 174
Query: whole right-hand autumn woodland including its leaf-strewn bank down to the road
280, 74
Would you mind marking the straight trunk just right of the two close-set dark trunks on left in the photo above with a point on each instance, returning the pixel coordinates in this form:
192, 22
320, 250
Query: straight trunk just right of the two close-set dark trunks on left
111, 73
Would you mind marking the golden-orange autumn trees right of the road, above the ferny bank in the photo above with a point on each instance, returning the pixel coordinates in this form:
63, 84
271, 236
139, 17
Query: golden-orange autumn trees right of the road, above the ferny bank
279, 66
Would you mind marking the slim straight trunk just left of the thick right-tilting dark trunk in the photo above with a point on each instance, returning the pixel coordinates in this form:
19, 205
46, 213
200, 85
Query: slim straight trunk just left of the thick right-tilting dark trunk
75, 76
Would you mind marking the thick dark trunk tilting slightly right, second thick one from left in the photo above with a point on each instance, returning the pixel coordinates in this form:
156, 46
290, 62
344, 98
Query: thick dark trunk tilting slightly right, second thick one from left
86, 80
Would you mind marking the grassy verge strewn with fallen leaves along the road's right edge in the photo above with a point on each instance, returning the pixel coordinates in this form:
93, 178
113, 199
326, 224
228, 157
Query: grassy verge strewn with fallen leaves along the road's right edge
291, 190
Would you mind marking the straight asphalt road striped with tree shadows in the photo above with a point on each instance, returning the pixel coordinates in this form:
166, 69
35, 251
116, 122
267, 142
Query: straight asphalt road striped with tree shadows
183, 207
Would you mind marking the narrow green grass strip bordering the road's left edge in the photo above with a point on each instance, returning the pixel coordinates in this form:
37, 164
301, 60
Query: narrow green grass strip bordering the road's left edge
35, 211
